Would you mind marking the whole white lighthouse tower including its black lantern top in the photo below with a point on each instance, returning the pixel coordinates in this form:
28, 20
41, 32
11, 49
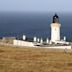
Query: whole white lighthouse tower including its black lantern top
55, 29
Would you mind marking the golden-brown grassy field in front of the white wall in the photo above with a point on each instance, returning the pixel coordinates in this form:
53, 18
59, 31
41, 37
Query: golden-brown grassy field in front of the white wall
13, 59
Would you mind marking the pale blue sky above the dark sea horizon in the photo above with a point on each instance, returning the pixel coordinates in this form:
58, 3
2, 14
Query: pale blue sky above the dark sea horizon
36, 5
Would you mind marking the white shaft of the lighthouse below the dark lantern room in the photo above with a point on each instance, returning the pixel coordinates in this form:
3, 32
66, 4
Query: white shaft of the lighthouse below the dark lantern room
55, 32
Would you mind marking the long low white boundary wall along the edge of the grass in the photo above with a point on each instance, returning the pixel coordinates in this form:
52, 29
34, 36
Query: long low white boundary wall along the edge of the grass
31, 44
